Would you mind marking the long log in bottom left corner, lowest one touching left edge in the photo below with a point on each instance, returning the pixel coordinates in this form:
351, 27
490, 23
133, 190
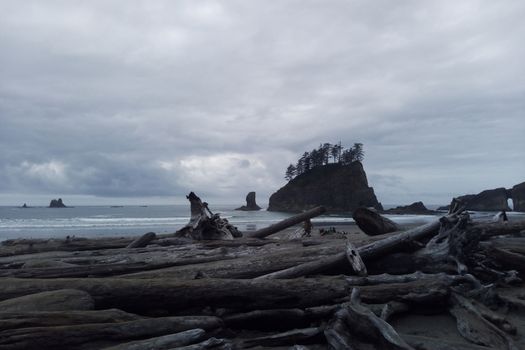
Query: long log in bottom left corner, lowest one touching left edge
67, 337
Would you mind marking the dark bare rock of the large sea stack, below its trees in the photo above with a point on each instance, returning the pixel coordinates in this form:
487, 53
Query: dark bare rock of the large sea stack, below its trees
335, 186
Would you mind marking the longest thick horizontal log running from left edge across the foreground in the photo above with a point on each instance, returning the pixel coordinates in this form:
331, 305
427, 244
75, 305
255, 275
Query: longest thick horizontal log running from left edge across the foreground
158, 296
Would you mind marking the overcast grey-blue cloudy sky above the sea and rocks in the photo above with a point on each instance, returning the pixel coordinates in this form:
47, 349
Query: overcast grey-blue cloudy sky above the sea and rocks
141, 102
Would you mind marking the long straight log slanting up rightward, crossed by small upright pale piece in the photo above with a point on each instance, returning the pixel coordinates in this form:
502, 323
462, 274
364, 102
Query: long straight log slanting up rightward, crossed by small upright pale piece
369, 251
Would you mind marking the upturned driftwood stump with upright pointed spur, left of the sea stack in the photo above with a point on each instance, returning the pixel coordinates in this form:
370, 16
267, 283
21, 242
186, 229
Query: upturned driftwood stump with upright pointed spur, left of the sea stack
204, 224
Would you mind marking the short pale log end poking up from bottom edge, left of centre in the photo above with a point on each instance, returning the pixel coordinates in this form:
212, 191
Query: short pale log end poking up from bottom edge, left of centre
163, 342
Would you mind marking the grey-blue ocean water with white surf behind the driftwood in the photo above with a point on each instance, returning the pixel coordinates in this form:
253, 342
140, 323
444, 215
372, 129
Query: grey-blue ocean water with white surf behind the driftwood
99, 221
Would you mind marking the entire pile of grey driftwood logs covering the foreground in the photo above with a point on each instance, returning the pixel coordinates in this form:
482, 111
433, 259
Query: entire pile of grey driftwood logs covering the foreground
190, 291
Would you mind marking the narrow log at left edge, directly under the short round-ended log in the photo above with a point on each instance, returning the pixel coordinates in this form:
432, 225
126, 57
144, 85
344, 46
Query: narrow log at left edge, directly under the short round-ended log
11, 320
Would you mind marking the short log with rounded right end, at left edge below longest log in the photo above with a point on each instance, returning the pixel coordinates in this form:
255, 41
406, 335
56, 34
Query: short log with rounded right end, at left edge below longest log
54, 300
